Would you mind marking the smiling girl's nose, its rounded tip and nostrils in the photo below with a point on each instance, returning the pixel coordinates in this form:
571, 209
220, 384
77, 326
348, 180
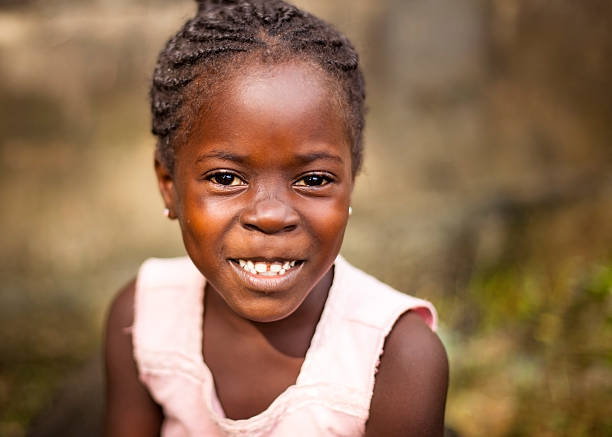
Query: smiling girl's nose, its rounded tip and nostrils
270, 216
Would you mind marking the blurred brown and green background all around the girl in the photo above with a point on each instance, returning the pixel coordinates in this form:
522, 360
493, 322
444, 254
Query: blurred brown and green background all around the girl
487, 189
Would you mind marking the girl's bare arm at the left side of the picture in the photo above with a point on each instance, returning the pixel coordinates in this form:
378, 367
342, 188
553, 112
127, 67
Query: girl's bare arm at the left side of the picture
130, 410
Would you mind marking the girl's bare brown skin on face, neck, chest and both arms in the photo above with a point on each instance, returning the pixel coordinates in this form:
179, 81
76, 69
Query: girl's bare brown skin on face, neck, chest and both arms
242, 189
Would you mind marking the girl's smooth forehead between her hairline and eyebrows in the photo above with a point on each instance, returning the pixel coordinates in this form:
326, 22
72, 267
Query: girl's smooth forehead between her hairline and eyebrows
292, 101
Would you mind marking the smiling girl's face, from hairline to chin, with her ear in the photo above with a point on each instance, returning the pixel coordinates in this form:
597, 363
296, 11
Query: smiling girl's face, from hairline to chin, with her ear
262, 188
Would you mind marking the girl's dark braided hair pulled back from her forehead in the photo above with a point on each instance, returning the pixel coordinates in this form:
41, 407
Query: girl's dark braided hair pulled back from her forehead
189, 66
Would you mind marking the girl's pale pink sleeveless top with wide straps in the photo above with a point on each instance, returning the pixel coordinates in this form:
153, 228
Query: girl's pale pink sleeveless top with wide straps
332, 394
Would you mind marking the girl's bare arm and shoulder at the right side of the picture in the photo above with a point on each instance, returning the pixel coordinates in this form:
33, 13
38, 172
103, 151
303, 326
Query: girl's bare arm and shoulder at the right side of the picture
411, 383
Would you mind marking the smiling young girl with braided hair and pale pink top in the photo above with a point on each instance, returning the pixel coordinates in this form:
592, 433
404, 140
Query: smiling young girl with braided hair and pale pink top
264, 330
